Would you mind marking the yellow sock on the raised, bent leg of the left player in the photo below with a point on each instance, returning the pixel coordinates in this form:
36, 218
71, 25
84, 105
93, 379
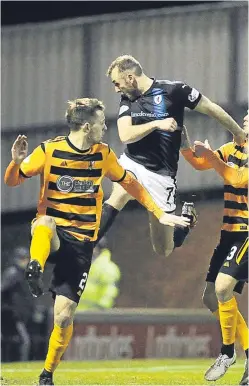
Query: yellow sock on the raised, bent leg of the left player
40, 244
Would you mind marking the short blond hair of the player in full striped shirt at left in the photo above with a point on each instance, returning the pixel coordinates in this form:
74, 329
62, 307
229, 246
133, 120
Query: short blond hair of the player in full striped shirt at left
82, 110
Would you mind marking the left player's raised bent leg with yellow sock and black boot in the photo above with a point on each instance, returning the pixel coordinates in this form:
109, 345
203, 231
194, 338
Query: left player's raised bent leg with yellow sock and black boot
44, 240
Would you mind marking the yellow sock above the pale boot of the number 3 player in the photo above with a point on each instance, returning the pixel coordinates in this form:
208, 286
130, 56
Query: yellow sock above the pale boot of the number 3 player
228, 320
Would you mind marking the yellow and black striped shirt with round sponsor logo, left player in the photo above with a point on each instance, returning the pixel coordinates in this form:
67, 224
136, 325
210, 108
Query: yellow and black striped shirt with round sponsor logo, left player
71, 189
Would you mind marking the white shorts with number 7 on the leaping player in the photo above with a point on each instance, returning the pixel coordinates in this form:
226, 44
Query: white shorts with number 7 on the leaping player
161, 188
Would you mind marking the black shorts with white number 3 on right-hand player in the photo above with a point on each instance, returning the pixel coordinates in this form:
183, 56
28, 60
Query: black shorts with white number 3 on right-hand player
230, 257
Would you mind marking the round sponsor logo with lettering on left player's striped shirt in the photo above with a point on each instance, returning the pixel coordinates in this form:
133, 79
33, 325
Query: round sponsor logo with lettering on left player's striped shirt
67, 184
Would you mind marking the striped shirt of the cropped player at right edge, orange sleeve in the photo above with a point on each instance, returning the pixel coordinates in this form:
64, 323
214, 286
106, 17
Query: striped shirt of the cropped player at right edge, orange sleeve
235, 216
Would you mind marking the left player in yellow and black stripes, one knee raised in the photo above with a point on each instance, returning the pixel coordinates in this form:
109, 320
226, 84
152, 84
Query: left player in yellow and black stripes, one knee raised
71, 170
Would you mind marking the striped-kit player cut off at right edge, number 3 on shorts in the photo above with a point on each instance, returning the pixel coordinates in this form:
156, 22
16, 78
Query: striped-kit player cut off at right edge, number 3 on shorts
228, 268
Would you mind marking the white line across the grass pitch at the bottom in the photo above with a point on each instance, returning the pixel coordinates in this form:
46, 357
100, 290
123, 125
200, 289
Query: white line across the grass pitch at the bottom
125, 369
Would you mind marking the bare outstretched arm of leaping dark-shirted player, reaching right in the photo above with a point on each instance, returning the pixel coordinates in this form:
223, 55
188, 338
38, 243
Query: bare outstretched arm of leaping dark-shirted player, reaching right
206, 106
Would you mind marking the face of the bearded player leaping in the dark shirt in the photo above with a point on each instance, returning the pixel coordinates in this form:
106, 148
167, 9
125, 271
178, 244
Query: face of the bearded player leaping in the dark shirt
124, 83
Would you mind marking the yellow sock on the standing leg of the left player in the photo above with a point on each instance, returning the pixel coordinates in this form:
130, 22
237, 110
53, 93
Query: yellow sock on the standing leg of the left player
58, 343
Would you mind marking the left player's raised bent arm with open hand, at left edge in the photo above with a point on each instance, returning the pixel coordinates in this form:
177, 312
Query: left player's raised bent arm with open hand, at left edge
21, 166
